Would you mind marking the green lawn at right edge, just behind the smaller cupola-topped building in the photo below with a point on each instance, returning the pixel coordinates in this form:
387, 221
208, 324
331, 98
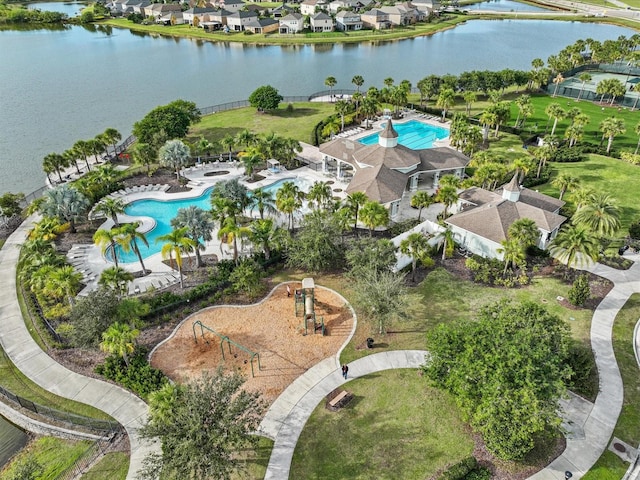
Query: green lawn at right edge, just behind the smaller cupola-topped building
607, 175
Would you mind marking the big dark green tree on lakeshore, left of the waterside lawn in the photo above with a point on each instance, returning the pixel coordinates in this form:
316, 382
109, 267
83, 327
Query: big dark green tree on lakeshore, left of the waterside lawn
173, 120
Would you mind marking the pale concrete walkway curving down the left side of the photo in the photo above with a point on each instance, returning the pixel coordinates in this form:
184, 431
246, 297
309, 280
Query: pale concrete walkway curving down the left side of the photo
25, 353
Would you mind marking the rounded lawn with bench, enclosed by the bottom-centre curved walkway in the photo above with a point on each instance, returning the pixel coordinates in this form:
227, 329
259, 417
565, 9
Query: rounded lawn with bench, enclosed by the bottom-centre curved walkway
395, 427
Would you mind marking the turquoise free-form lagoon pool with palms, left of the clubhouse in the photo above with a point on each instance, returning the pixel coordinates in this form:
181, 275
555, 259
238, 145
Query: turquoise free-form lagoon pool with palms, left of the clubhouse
163, 211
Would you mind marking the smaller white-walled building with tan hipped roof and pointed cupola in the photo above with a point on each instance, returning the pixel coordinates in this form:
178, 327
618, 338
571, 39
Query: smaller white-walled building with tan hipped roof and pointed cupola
485, 217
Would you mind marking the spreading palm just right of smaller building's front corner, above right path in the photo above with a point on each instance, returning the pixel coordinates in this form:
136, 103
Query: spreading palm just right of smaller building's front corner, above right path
575, 245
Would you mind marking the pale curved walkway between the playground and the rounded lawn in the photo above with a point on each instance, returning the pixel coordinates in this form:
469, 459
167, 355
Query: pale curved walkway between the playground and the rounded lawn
287, 416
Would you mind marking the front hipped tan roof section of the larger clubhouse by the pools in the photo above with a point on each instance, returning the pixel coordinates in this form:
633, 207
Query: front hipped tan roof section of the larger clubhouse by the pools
380, 183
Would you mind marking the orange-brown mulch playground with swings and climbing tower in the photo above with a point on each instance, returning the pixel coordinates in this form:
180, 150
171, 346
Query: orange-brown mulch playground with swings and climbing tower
267, 342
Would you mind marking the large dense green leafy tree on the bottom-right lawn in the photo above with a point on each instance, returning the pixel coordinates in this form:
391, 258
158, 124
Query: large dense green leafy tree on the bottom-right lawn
506, 371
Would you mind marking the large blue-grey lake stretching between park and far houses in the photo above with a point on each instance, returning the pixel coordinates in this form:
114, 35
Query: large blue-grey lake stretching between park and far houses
57, 87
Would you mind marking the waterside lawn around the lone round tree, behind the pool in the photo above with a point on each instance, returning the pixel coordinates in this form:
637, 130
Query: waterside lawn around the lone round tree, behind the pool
297, 124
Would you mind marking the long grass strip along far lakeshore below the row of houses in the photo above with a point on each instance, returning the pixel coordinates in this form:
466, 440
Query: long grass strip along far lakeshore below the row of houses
276, 39
